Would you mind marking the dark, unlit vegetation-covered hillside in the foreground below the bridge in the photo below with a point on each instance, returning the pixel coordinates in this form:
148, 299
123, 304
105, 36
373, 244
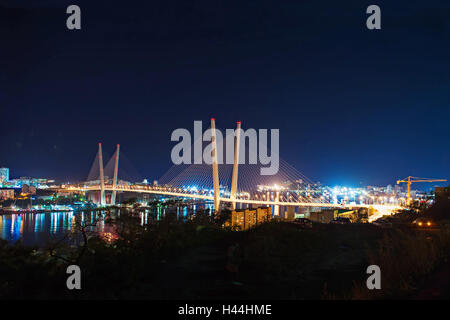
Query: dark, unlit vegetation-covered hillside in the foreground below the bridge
197, 259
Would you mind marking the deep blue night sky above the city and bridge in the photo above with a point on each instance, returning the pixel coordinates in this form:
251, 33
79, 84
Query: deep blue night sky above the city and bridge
353, 106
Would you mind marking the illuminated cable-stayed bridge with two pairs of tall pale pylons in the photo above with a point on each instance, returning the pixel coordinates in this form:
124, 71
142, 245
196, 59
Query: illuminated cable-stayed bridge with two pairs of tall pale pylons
234, 183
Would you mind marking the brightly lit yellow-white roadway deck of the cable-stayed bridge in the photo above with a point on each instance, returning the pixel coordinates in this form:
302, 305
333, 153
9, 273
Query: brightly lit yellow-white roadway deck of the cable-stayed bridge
164, 191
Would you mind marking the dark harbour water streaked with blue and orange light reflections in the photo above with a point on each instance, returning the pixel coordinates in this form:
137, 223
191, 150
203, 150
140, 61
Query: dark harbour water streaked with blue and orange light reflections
38, 228
